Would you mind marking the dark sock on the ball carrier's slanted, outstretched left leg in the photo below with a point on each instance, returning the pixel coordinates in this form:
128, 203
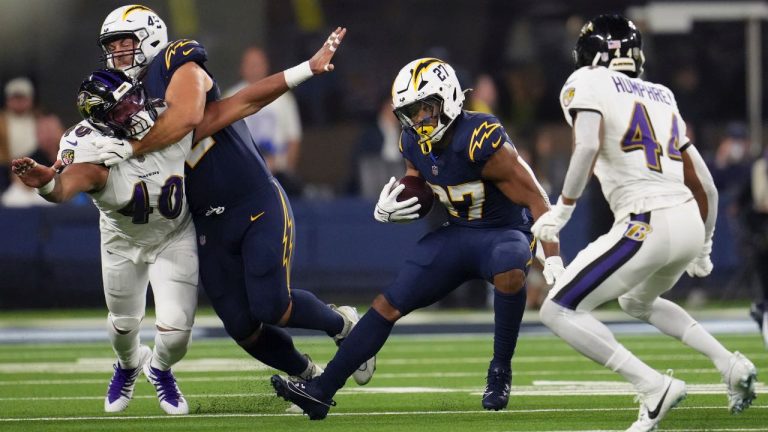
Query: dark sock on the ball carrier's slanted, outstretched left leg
364, 342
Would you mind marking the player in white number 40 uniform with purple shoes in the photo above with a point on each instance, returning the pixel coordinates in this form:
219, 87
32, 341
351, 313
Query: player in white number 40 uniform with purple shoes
147, 233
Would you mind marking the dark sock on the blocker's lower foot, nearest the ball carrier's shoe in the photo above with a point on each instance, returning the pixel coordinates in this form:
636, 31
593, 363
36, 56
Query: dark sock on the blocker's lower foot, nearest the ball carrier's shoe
275, 348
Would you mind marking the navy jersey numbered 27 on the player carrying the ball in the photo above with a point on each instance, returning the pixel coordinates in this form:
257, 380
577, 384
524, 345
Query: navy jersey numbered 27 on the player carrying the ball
455, 175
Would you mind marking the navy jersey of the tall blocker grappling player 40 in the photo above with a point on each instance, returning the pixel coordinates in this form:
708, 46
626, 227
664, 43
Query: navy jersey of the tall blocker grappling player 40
225, 168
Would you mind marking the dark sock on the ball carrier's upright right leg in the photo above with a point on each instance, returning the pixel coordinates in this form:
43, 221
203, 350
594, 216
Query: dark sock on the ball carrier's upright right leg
508, 311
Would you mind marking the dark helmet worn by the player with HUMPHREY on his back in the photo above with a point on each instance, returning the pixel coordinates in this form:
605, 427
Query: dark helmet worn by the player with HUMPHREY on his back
612, 41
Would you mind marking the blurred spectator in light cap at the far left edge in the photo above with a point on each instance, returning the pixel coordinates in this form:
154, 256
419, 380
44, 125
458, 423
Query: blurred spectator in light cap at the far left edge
17, 125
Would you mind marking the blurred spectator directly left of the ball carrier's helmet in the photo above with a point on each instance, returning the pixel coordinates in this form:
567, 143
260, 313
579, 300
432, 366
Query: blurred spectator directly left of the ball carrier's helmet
376, 157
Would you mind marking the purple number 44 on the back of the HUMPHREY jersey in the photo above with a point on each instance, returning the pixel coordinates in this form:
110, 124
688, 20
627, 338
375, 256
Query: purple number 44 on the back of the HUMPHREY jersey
641, 136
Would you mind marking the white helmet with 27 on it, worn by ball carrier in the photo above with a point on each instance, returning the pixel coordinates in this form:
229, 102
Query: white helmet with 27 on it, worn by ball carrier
427, 83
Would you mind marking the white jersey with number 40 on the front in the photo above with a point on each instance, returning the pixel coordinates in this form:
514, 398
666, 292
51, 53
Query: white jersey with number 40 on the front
142, 205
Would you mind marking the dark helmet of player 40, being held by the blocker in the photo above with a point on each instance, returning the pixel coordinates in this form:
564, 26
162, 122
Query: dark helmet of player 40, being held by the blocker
115, 104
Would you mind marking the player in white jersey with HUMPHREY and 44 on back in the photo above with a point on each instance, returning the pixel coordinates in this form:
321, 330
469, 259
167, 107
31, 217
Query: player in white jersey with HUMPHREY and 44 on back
664, 202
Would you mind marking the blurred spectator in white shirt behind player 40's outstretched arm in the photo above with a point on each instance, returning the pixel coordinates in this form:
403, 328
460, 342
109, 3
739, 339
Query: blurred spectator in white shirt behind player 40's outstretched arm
276, 129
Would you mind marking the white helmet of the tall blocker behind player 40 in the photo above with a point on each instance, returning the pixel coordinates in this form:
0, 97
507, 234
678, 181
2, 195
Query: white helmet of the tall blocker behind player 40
140, 23
